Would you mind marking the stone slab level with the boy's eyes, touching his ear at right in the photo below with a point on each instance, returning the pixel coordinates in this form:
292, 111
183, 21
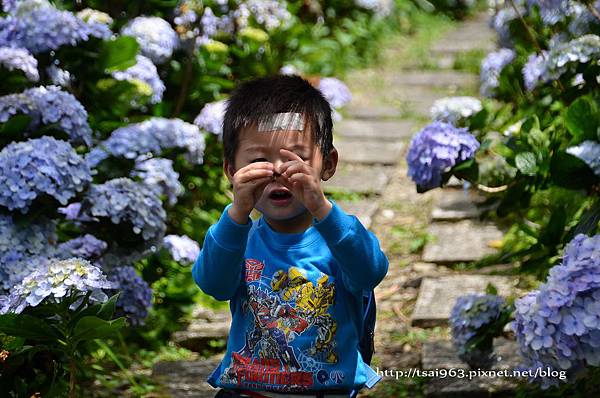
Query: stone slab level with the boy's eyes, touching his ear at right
369, 152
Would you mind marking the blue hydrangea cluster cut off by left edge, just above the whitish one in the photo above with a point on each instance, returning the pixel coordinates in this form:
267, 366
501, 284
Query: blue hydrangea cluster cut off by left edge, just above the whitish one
24, 248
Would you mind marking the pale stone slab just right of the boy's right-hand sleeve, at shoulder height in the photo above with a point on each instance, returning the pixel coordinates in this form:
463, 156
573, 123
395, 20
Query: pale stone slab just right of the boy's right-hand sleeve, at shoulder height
461, 241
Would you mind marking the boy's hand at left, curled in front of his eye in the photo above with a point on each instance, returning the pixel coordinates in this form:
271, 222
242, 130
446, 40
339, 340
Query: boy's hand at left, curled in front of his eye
249, 183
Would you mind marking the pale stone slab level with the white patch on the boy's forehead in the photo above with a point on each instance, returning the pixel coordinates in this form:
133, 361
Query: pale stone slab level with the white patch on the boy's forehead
375, 129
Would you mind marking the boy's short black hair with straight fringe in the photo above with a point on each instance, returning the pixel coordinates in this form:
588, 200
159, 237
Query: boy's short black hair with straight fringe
257, 100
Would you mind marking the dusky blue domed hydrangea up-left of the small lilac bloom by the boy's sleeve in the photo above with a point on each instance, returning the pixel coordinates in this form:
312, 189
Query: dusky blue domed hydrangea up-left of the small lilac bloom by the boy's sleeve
123, 200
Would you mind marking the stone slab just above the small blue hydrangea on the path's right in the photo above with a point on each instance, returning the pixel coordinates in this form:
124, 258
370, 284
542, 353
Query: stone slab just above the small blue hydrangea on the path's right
437, 295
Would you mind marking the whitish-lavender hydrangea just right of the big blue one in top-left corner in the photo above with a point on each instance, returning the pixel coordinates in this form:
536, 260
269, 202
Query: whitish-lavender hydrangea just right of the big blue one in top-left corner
155, 36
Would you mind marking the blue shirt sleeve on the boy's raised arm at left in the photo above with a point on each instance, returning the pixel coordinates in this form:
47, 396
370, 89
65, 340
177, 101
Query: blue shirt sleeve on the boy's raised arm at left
218, 268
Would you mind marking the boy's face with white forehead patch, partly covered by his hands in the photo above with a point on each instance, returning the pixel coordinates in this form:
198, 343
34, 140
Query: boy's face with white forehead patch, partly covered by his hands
264, 146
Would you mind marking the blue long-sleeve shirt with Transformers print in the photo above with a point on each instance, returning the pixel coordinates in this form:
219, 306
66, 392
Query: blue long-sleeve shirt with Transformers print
296, 301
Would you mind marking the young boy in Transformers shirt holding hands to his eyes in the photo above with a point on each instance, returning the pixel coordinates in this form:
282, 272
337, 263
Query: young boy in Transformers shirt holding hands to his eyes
295, 277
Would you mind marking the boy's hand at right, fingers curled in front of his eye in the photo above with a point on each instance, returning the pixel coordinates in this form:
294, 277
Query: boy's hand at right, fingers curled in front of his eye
305, 184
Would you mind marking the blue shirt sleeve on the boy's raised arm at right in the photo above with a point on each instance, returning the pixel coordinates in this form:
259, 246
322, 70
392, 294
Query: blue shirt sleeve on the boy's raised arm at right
356, 249
